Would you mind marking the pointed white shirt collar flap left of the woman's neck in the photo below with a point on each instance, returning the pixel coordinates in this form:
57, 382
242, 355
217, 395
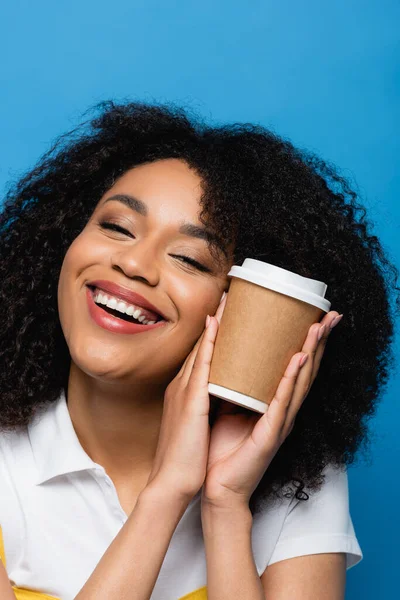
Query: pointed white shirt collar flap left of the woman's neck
55, 445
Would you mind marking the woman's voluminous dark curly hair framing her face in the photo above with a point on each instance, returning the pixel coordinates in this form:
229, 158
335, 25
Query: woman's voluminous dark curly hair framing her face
277, 203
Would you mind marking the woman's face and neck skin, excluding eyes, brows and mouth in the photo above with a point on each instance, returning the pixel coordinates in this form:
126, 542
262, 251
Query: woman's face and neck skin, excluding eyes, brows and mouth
135, 370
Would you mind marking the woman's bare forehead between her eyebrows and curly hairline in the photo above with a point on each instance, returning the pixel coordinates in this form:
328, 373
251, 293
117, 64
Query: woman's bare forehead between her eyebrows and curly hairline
169, 186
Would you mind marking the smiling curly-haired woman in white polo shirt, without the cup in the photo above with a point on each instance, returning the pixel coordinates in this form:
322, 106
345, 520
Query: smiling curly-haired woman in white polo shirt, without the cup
120, 477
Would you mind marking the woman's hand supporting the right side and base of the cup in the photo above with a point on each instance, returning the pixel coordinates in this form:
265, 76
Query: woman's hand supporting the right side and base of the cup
243, 442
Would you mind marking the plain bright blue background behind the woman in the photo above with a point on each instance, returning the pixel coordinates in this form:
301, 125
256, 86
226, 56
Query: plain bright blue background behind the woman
326, 75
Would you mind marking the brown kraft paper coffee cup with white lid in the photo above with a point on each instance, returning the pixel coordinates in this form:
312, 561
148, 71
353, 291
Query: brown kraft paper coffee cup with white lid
266, 319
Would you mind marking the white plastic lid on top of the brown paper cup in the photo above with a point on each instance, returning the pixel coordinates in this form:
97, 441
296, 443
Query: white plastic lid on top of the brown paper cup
283, 281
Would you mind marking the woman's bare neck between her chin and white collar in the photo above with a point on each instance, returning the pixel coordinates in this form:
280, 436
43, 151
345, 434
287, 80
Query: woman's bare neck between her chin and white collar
117, 425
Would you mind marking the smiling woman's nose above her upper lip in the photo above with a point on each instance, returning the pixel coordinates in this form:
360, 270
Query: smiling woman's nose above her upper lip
137, 262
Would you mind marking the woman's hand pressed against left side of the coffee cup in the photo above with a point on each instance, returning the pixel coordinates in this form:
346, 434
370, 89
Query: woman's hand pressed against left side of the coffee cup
180, 462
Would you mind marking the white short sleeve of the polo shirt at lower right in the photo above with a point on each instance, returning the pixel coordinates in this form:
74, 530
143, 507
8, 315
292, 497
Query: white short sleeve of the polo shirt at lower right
320, 524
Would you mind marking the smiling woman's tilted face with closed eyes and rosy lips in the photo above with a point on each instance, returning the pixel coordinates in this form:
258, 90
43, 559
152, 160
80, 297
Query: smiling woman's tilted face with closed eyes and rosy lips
138, 241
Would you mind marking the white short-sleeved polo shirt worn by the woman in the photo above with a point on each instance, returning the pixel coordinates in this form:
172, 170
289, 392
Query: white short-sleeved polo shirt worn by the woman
59, 512
